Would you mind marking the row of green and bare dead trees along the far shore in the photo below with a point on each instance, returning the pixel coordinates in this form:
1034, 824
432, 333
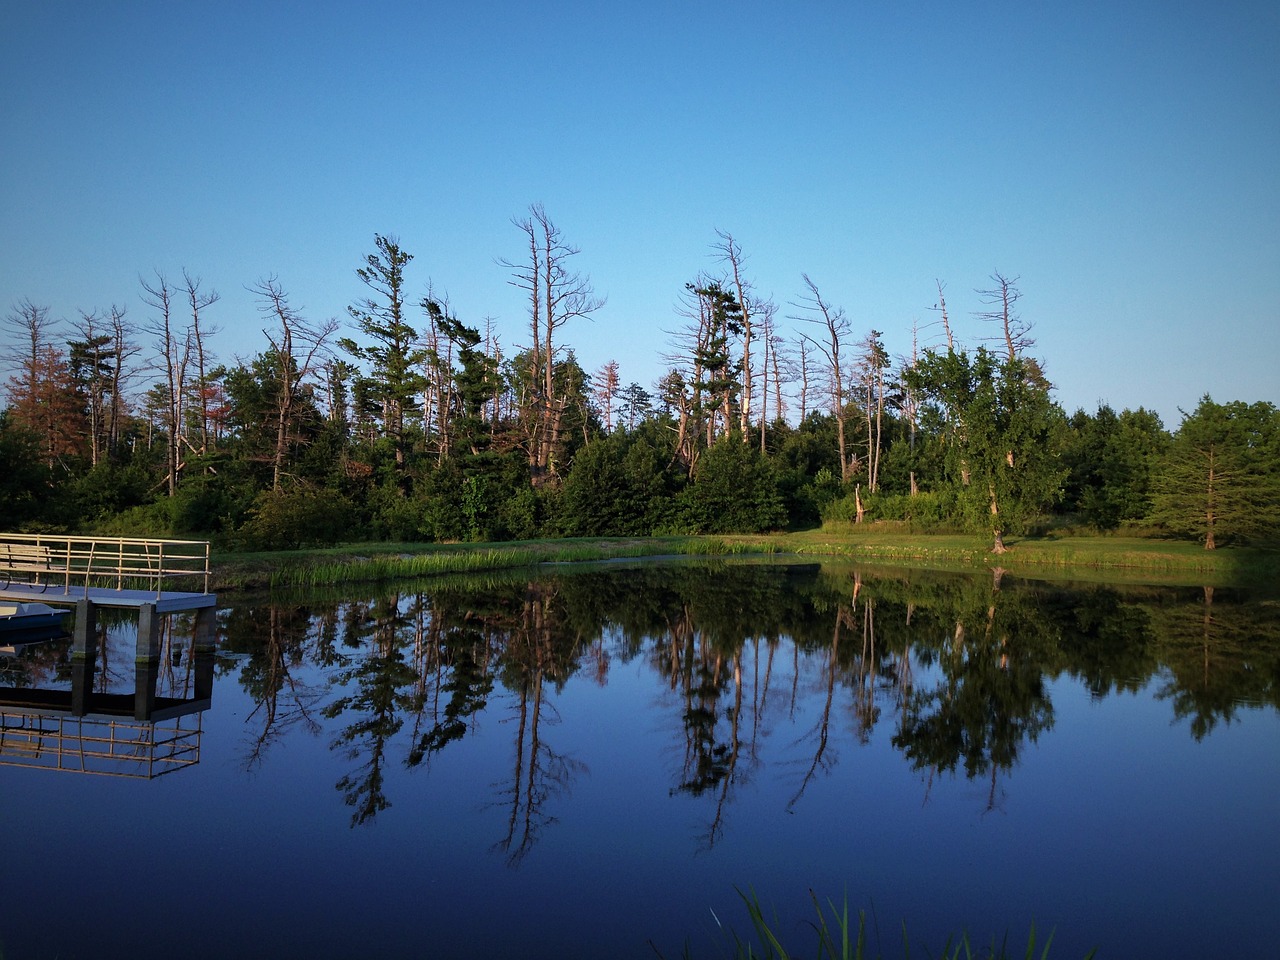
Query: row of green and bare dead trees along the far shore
410, 424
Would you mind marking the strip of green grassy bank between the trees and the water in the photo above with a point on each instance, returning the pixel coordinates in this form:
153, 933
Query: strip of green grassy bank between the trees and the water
1112, 559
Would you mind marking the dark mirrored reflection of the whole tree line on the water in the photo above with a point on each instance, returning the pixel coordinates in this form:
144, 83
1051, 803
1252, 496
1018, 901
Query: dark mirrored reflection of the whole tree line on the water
961, 665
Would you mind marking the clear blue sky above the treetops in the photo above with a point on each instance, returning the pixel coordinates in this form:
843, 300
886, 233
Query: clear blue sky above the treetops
1122, 159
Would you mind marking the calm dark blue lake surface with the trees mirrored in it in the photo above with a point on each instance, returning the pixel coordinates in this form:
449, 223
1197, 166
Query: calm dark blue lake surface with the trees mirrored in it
583, 762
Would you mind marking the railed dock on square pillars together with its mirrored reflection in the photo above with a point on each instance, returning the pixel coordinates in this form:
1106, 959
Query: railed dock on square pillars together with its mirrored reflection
83, 730
